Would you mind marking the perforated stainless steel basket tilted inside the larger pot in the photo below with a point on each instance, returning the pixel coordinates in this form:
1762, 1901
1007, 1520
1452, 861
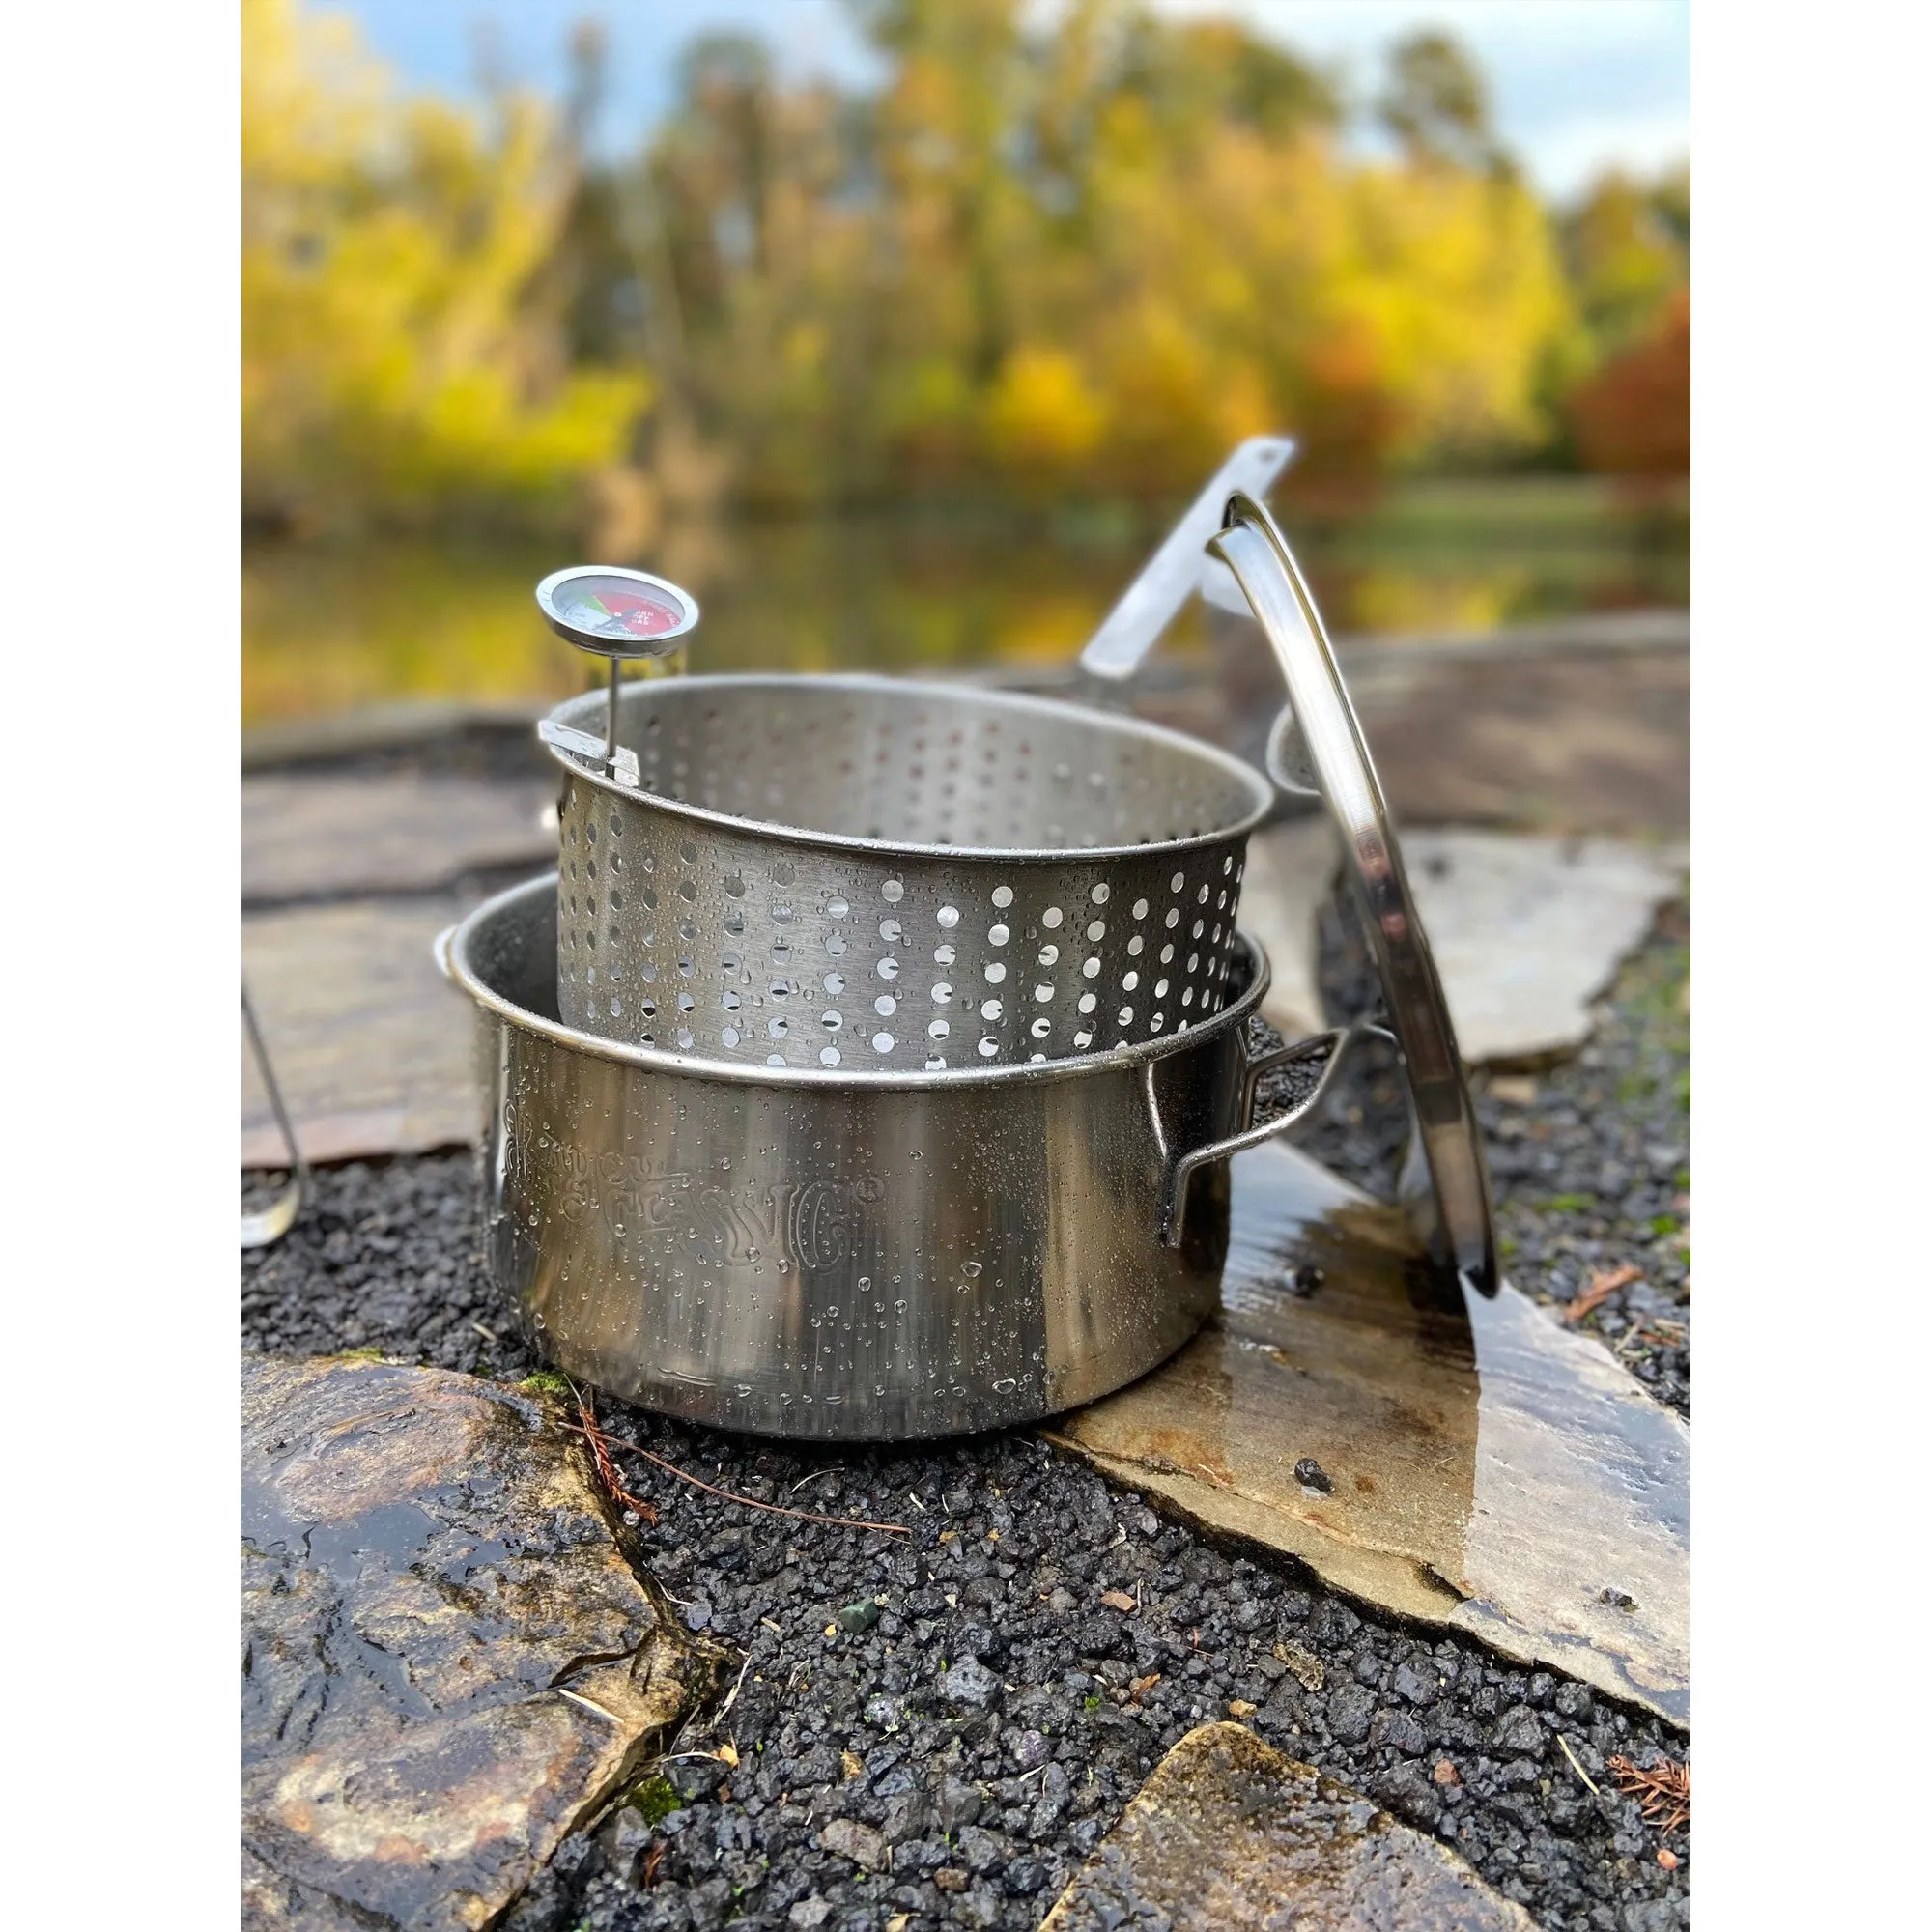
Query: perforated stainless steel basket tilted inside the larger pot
865, 872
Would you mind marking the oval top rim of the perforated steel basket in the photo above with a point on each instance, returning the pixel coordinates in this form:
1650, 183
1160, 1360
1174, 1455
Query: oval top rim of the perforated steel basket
1261, 791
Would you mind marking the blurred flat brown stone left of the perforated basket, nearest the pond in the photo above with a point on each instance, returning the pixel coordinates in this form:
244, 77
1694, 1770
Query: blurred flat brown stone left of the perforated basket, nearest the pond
316, 836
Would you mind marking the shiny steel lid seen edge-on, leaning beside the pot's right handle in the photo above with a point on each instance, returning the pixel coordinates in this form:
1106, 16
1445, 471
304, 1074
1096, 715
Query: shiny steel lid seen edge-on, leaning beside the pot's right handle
1456, 1203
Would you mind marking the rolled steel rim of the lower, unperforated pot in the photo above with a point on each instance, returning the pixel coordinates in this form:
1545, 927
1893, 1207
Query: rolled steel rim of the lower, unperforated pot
455, 953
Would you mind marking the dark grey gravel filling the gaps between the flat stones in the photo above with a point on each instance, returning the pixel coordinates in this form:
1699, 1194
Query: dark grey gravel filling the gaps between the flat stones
953, 1759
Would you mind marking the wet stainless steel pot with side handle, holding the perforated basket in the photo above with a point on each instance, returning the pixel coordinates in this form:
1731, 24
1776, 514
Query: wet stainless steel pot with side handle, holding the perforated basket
820, 1253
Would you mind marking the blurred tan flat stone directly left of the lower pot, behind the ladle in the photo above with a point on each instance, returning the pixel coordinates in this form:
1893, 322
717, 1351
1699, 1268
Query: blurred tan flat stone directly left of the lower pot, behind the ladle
370, 1042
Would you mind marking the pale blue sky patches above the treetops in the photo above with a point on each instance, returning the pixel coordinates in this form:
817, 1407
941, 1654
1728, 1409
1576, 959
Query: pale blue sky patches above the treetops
1579, 86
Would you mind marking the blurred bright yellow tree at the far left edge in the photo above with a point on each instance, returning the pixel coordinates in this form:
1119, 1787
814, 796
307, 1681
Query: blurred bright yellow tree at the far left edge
395, 366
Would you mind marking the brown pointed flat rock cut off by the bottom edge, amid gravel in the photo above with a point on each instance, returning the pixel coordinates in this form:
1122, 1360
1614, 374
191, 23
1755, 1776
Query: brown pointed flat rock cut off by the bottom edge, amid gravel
1230, 1834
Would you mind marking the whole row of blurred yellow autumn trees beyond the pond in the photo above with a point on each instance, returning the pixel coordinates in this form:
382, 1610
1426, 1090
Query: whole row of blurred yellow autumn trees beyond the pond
1038, 260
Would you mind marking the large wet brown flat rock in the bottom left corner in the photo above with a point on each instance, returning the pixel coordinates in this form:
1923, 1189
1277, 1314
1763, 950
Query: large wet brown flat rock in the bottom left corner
447, 1662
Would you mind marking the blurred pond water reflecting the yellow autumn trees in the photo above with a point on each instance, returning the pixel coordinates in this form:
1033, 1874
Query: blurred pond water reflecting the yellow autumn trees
331, 629
